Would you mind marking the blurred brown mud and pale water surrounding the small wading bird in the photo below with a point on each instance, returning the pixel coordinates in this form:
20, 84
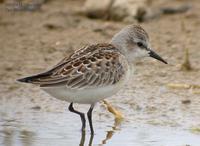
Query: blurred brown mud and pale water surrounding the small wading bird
160, 106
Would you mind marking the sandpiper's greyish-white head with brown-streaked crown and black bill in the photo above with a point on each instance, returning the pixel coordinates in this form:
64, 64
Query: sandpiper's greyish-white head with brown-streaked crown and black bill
133, 42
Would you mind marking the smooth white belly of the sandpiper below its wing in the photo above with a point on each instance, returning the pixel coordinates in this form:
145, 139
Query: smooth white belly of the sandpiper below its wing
84, 96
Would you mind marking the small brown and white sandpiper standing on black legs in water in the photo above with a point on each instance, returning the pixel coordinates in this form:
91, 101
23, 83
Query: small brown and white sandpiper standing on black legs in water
96, 71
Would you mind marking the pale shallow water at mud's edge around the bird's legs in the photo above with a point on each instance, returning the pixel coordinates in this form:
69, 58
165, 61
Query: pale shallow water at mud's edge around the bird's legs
38, 128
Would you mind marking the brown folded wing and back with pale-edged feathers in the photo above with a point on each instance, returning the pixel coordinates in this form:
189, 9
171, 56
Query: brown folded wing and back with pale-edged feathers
89, 68
